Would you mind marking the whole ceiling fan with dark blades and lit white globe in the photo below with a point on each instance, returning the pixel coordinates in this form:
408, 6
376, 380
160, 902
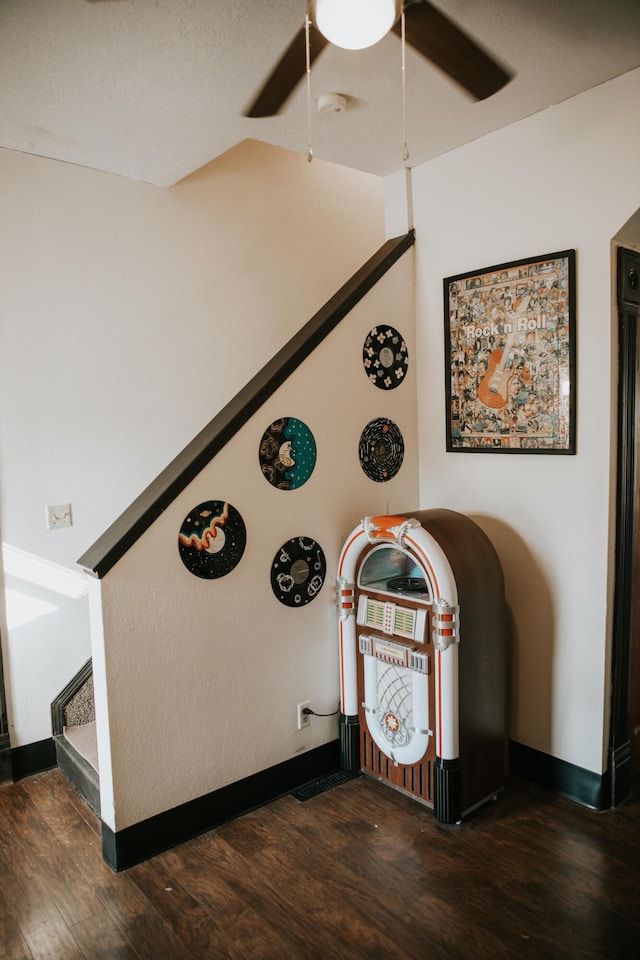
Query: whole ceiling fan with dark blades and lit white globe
427, 30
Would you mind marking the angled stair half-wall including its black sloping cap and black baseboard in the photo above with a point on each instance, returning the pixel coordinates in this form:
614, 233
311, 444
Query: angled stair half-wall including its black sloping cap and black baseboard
197, 680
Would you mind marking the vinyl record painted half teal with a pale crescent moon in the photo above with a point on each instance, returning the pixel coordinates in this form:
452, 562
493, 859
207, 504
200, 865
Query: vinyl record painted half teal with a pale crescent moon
287, 453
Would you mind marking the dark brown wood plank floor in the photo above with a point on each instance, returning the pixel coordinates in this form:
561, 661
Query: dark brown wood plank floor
359, 871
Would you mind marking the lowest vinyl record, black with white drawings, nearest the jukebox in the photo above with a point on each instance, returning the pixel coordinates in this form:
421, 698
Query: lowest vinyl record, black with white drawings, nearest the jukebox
298, 571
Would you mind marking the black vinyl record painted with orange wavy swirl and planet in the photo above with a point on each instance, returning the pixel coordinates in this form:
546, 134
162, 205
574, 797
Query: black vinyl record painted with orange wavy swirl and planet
212, 539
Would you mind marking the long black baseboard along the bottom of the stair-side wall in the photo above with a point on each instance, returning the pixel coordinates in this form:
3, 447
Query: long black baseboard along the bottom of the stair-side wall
124, 848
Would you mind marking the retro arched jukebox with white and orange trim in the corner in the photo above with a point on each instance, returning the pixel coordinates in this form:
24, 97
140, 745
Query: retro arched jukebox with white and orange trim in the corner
423, 659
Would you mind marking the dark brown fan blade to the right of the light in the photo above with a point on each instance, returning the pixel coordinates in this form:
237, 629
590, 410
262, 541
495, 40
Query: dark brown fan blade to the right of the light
436, 37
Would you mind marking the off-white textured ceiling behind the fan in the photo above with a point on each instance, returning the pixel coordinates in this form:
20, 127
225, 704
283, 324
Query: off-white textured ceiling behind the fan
154, 89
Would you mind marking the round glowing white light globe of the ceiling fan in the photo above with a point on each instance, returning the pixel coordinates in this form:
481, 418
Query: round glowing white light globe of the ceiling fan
354, 24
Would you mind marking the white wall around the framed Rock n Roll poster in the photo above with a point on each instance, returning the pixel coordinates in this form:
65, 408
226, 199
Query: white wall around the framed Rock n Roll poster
564, 178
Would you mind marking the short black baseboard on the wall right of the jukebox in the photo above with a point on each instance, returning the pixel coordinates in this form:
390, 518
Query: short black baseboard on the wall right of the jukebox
585, 786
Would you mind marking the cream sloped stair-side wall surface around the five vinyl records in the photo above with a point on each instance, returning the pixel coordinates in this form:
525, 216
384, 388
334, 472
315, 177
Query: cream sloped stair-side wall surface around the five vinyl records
202, 677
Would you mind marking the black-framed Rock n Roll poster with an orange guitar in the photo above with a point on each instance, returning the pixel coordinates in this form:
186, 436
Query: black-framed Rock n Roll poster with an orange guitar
510, 335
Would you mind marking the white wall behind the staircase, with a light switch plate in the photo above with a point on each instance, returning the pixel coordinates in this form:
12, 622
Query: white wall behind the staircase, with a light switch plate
129, 316
